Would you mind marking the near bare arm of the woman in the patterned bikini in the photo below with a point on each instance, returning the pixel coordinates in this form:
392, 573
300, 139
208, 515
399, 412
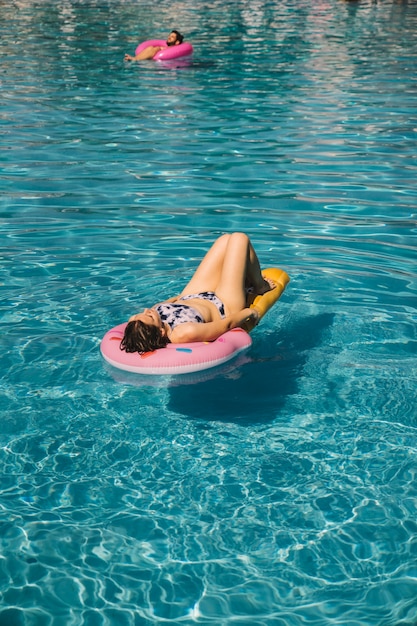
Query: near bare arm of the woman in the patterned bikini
193, 331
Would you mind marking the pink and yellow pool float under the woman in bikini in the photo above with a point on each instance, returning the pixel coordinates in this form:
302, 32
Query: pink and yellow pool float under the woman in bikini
184, 358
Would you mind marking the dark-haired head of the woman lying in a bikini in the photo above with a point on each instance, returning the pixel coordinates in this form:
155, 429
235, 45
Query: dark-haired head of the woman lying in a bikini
144, 333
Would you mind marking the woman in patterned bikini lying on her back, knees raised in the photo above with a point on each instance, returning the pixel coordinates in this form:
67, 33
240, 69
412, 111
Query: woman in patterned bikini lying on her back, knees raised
213, 302
